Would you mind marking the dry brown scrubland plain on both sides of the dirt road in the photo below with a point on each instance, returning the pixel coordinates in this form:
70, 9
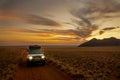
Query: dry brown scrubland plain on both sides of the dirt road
81, 63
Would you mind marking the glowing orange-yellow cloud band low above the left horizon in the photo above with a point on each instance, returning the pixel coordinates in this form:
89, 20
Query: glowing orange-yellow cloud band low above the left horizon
41, 36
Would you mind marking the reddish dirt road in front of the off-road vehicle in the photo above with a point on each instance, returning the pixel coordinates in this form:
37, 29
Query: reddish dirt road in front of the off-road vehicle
47, 72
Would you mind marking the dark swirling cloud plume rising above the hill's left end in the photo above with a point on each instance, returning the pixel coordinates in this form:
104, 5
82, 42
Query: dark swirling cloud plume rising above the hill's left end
84, 26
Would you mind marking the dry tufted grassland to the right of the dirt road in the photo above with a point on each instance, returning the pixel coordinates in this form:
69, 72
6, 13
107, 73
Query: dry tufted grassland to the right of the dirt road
100, 63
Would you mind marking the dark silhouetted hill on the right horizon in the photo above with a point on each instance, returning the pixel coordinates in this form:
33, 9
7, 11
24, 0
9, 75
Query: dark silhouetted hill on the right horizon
105, 42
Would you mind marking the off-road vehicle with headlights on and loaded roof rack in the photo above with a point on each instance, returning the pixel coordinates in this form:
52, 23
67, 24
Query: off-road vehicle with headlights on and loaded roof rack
35, 55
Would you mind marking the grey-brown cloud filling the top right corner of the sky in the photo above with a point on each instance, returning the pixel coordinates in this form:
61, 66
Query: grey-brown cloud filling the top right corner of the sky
101, 6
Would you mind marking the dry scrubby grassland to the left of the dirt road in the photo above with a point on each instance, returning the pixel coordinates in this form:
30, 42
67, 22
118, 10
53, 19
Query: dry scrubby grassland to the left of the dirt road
9, 60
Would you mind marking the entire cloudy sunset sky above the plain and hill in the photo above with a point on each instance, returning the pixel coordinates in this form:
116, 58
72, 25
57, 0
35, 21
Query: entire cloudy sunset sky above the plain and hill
49, 22
